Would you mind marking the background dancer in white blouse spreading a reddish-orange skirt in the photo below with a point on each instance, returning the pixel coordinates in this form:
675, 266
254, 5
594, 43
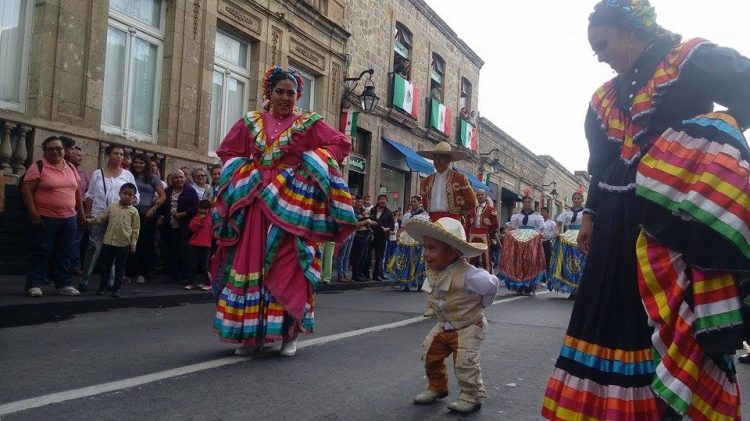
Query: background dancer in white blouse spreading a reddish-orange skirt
522, 265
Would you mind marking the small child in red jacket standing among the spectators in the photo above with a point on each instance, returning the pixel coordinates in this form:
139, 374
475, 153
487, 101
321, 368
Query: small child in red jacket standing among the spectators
200, 247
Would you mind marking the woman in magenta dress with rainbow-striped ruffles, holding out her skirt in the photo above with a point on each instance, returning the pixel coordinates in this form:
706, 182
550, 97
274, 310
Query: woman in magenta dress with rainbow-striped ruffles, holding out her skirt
281, 195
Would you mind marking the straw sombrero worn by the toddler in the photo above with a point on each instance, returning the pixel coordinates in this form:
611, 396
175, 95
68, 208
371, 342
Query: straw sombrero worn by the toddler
446, 230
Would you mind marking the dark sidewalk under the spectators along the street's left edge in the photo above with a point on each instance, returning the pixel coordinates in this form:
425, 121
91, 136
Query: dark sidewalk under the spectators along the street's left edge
16, 309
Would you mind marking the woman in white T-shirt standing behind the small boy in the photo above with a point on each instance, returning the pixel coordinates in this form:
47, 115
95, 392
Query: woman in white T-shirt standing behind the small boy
104, 189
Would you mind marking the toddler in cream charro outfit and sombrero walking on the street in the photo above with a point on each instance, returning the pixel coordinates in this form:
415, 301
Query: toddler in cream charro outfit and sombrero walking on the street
458, 292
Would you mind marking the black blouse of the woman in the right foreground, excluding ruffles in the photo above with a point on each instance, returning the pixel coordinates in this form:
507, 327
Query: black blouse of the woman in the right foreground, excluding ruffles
711, 74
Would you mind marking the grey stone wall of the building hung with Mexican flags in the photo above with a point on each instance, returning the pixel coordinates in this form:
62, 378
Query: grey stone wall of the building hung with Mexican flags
371, 45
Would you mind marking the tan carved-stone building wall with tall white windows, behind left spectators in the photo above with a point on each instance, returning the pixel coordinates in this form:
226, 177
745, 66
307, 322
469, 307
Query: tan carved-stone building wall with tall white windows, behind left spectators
67, 57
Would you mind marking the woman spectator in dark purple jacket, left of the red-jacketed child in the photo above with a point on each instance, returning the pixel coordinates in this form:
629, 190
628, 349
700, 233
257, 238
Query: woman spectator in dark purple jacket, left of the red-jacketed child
178, 209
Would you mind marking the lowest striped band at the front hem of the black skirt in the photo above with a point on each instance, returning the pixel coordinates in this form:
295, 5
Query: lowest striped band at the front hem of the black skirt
568, 397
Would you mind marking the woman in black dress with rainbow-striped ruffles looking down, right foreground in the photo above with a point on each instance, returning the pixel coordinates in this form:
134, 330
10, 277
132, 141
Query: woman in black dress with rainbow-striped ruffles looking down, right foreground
666, 228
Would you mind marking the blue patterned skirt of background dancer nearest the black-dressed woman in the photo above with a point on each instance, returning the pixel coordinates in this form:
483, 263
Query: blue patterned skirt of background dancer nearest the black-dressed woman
566, 264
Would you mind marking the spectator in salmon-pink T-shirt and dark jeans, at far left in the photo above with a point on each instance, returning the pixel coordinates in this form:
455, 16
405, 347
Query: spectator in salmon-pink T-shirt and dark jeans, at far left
50, 193
